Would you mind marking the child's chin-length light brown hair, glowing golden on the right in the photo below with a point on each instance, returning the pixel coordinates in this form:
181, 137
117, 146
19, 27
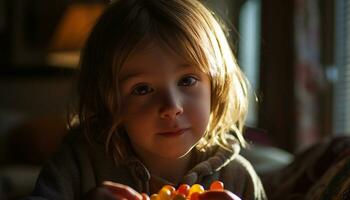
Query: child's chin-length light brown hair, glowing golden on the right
186, 27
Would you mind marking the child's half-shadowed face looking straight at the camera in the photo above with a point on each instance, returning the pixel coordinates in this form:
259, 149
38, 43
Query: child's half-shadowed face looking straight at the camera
165, 102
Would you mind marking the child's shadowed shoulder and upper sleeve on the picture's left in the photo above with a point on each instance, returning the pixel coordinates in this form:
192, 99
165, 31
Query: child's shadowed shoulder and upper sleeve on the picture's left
70, 172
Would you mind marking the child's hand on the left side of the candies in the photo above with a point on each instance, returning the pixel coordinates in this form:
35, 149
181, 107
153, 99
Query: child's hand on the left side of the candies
115, 191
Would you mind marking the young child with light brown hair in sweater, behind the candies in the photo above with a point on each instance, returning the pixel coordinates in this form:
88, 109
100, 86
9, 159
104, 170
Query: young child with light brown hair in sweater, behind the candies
162, 101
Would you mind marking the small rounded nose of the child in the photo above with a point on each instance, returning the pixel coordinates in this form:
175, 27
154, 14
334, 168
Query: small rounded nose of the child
171, 106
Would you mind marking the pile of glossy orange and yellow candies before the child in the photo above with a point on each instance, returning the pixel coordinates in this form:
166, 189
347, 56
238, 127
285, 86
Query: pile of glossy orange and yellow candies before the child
185, 192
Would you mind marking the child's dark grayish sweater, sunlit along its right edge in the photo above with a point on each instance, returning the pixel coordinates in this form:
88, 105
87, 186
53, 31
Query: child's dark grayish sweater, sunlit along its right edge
79, 167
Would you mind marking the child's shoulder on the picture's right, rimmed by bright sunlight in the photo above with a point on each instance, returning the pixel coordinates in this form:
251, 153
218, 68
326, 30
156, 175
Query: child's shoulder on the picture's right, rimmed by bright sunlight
240, 177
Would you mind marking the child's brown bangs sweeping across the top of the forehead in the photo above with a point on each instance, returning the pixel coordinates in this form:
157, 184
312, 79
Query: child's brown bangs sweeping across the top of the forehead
149, 28
